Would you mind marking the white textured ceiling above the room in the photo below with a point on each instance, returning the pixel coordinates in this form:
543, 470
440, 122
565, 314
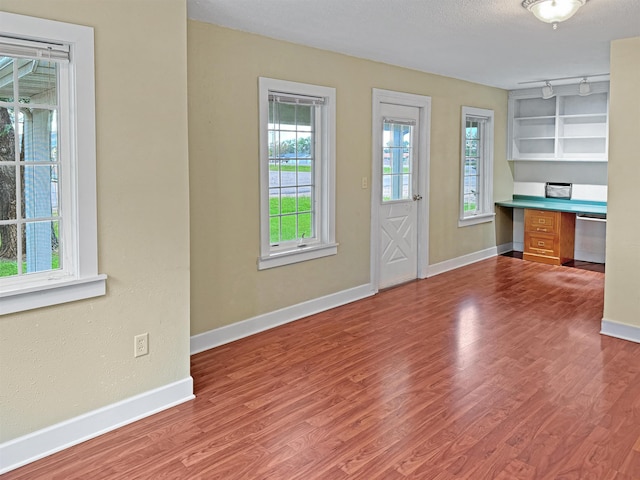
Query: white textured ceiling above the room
492, 42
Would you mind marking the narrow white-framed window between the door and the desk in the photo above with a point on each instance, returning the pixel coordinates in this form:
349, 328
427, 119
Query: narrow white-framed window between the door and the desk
476, 202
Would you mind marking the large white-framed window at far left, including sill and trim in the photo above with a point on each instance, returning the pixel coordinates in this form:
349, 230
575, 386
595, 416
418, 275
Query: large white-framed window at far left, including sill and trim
48, 246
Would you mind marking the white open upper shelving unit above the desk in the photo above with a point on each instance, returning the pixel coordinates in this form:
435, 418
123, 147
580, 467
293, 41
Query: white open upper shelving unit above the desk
566, 127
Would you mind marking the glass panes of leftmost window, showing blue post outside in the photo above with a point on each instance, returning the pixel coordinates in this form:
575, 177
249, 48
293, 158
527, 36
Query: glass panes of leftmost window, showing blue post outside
31, 214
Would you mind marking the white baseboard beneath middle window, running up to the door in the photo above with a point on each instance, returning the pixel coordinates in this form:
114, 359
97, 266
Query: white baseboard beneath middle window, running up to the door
236, 331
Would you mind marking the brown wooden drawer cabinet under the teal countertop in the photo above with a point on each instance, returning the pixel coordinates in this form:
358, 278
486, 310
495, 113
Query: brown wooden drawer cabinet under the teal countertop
549, 236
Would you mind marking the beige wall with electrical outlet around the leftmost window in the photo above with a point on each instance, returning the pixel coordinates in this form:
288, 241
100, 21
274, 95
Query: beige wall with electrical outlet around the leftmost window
59, 362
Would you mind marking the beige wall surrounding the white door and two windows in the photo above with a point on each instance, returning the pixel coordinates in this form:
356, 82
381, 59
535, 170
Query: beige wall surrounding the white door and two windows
223, 70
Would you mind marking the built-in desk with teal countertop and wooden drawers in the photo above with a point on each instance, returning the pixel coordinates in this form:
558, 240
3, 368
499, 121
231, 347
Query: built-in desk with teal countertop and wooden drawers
550, 227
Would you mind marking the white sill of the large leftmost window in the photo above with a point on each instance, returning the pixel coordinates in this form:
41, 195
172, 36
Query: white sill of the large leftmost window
33, 296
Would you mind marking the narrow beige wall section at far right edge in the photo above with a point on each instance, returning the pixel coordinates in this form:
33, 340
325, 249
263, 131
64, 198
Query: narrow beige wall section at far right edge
622, 282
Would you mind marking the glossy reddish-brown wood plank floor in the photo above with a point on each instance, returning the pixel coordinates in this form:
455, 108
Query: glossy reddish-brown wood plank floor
491, 371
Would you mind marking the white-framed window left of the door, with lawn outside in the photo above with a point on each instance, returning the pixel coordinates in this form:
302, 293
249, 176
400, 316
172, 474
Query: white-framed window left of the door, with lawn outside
297, 172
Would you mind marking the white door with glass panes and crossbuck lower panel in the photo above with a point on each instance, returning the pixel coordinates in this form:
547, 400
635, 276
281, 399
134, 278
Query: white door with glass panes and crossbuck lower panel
399, 196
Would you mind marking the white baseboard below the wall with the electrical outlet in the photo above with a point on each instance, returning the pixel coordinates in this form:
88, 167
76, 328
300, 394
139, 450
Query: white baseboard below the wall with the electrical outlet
28, 448
